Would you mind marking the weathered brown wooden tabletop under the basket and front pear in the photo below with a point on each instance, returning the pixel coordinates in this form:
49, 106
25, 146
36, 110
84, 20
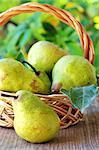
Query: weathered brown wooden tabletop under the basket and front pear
83, 136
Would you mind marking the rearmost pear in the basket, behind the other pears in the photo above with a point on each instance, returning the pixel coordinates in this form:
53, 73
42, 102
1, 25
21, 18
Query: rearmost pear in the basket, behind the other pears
43, 55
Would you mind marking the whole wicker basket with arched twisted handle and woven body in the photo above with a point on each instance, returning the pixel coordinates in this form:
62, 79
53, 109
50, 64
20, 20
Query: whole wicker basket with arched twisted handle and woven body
60, 103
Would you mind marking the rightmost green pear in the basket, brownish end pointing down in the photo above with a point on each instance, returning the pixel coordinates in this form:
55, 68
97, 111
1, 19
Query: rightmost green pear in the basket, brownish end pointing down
72, 71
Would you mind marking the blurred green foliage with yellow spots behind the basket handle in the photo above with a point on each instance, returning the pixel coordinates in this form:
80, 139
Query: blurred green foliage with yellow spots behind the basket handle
17, 36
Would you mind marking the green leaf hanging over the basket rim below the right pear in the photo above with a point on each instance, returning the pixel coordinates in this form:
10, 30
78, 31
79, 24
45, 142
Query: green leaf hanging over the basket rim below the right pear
82, 97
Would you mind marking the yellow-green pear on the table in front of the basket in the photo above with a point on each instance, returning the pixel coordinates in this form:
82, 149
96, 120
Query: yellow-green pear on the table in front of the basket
34, 120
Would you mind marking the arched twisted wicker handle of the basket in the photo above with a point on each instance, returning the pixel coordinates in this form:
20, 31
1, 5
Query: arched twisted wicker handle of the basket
63, 15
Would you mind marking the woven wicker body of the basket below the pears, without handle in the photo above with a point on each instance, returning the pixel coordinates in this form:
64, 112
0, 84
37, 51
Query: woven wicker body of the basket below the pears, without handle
60, 103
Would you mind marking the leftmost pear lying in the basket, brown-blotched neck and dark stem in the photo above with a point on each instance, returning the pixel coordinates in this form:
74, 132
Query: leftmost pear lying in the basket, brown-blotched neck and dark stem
15, 76
